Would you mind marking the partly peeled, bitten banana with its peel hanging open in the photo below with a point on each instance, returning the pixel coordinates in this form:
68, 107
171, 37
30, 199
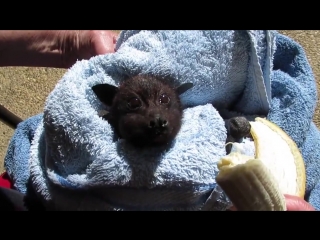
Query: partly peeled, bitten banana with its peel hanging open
258, 183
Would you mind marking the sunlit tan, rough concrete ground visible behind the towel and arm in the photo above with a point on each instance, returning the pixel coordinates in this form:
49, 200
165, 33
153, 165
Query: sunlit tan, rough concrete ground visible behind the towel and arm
24, 90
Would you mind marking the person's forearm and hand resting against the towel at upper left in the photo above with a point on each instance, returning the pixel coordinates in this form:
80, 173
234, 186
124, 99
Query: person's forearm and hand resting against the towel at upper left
53, 48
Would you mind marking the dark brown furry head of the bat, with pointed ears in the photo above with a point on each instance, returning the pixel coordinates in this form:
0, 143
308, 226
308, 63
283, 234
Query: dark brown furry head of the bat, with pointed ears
144, 110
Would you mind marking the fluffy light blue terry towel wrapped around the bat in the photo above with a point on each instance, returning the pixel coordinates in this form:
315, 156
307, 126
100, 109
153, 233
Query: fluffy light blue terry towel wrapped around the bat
74, 163
